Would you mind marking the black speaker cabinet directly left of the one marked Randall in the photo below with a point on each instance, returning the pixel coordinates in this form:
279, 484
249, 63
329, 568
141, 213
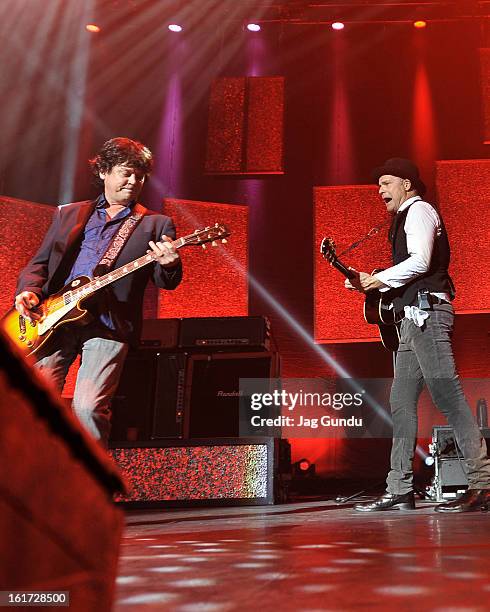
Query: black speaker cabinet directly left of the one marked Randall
149, 401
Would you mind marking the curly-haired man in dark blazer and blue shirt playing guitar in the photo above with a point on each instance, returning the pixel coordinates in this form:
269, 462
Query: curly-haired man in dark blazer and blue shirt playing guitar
79, 240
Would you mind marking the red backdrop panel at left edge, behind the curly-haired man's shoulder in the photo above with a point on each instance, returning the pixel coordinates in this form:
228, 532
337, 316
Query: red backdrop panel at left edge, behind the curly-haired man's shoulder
22, 228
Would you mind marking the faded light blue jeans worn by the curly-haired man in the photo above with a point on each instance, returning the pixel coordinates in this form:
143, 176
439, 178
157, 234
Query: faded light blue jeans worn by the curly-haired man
102, 360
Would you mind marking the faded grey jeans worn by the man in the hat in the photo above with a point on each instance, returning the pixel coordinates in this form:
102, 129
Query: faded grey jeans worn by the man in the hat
425, 356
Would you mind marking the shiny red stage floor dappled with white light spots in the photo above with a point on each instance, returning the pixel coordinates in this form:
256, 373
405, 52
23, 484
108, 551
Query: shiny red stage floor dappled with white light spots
304, 556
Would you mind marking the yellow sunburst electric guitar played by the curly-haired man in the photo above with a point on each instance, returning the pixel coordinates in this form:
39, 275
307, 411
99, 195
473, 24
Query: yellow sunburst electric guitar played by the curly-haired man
66, 306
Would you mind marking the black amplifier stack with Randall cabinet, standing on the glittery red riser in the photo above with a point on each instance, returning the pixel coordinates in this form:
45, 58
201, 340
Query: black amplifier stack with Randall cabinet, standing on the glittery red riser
183, 382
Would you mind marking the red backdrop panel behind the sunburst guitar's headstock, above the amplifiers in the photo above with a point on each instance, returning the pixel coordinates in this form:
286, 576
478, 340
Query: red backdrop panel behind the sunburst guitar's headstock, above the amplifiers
216, 279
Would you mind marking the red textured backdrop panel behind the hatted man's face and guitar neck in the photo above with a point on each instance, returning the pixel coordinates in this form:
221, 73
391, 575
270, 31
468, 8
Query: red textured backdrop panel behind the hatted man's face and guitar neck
346, 214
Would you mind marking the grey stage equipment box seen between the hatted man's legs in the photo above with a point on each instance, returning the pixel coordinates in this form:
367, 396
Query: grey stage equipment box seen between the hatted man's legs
449, 476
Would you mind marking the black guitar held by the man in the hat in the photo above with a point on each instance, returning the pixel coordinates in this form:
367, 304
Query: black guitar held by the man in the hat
378, 309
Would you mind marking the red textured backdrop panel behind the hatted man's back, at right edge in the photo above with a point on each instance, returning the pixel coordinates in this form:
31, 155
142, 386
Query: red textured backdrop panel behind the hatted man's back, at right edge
464, 193
